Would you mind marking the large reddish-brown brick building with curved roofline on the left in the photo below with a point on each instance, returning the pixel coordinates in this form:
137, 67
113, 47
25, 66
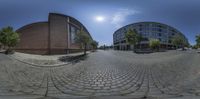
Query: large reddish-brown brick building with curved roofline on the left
56, 36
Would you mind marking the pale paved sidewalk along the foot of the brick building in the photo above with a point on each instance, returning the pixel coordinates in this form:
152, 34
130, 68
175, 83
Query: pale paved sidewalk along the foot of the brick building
43, 60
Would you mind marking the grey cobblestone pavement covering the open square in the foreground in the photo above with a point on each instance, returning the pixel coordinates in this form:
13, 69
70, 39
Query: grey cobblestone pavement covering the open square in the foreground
173, 74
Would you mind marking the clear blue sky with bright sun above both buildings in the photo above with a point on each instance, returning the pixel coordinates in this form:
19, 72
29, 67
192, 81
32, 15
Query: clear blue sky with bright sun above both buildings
103, 17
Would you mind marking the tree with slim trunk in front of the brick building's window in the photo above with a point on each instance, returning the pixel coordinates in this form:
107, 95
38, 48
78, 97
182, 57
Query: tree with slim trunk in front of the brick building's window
83, 38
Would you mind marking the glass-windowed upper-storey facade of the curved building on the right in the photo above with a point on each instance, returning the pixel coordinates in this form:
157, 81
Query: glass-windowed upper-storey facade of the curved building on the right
148, 30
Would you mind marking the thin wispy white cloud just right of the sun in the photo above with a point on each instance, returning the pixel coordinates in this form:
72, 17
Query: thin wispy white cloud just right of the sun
120, 16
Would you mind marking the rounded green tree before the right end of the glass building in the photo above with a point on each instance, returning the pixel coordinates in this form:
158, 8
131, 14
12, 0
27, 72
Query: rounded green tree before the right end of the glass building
178, 40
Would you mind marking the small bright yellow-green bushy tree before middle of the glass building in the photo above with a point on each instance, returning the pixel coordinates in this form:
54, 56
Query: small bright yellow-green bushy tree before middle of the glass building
154, 44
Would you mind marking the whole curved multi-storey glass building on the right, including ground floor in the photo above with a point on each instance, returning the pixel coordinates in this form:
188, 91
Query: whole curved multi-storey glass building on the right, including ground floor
148, 30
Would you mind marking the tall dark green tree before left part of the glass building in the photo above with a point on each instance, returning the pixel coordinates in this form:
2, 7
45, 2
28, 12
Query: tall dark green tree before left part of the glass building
132, 37
